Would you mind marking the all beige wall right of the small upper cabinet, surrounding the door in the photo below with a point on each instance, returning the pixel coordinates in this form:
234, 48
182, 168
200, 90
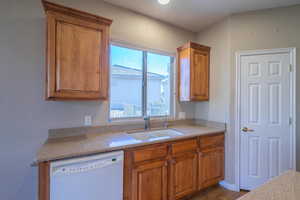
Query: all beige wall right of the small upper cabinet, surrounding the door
265, 29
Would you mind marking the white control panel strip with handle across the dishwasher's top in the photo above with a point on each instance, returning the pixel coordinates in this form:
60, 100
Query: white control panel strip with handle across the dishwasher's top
85, 166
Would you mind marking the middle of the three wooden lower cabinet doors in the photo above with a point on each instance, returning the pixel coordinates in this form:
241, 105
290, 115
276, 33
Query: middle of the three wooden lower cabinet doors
183, 175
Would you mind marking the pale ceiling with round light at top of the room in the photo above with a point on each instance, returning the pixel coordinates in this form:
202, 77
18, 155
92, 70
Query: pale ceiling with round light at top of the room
194, 15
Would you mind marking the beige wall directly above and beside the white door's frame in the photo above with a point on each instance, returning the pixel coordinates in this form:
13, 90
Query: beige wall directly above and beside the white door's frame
274, 28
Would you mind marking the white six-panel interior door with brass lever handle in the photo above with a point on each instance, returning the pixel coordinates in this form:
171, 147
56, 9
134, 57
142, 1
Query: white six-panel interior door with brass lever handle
265, 136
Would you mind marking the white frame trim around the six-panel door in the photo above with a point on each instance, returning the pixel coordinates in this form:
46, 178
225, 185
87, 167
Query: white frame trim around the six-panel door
237, 126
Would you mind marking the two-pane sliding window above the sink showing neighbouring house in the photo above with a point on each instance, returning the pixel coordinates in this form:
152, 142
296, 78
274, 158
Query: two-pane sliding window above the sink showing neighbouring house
140, 83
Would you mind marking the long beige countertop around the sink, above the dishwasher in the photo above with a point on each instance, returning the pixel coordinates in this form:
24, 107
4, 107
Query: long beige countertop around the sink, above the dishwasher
85, 144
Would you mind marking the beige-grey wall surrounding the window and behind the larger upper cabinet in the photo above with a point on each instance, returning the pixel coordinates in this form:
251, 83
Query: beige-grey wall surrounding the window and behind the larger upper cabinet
24, 115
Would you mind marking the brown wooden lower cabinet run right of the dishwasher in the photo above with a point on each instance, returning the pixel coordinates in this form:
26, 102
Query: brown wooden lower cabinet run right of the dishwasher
173, 170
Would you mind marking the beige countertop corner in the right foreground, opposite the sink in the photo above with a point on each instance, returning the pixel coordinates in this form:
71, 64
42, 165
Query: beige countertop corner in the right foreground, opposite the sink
284, 187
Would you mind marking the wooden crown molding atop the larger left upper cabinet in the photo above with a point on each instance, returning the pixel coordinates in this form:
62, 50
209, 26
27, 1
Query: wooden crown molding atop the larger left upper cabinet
49, 6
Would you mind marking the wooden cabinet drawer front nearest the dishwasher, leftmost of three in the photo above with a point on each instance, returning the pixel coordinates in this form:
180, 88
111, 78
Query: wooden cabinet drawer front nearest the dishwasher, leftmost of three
150, 153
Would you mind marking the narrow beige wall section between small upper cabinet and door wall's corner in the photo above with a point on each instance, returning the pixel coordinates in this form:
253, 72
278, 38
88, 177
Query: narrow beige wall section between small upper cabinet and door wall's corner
217, 108
